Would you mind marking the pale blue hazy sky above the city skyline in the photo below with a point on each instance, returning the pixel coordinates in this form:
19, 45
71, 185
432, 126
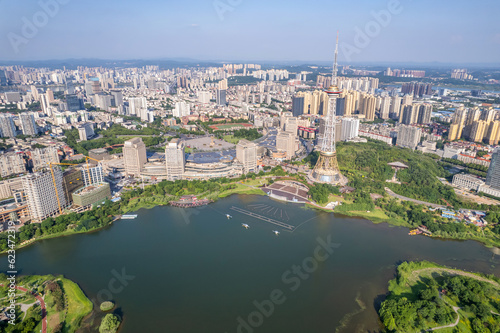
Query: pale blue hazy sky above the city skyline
252, 30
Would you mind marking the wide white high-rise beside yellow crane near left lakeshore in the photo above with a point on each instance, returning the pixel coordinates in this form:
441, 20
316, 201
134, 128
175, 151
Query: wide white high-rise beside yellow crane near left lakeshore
45, 195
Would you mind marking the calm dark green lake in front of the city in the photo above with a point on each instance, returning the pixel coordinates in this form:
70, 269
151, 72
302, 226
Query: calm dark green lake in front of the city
196, 271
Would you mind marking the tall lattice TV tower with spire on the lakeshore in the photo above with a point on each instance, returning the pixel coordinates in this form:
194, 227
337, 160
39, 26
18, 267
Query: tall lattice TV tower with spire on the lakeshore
326, 169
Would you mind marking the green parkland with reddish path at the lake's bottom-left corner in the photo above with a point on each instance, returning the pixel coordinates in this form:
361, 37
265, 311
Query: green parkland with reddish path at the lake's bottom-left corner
65, 303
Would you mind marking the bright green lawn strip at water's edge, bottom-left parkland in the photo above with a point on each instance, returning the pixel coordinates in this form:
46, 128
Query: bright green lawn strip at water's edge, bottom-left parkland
78, 305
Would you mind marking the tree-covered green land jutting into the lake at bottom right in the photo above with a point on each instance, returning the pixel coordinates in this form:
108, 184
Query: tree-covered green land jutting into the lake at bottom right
425, 297
